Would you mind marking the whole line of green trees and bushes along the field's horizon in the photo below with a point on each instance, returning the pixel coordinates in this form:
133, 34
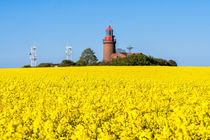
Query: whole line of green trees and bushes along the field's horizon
88, 58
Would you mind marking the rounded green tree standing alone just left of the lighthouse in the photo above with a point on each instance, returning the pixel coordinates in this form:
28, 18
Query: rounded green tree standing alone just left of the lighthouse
87, 57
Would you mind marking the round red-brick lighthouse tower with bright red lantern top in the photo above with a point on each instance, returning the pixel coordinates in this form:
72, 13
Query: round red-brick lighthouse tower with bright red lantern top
109, 45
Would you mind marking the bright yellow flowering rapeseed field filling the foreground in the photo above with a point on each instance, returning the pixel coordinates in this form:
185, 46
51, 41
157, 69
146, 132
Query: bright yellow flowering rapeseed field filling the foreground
105, 103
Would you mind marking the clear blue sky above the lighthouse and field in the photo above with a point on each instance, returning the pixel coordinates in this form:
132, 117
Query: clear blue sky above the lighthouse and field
170, 29
